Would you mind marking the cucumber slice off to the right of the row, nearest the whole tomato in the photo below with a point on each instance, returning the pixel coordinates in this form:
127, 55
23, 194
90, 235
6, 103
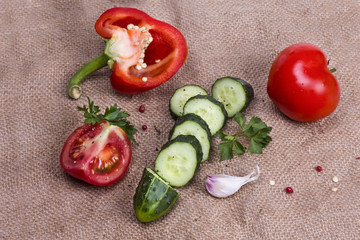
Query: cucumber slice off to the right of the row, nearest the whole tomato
234, 93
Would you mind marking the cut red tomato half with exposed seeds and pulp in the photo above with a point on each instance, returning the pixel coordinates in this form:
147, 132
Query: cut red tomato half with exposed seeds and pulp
85, 147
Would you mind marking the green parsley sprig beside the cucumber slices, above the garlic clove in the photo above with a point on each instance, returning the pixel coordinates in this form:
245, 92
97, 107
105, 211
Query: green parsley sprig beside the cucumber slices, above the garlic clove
256, 130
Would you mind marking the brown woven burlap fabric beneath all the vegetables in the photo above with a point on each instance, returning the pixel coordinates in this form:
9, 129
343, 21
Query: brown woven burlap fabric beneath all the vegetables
44, 42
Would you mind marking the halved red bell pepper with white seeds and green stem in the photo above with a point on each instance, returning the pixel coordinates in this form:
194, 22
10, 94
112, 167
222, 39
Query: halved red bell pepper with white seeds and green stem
141, 51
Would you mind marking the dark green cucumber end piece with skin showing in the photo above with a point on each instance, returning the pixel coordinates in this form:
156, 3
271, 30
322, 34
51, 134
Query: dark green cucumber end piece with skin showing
153, 197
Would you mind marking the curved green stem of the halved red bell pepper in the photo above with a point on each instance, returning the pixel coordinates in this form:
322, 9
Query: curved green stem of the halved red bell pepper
73, 87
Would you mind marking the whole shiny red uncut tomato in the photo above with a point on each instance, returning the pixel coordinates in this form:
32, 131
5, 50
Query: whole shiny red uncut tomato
301, 85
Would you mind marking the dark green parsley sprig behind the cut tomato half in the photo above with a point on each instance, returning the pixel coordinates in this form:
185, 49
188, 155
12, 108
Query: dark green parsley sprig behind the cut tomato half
114, 115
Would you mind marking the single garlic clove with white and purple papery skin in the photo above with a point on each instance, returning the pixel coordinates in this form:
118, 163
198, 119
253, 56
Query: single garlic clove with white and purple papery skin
222, 186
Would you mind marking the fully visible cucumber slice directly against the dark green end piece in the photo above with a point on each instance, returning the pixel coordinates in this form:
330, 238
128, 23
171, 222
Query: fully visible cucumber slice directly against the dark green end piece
178, 160
